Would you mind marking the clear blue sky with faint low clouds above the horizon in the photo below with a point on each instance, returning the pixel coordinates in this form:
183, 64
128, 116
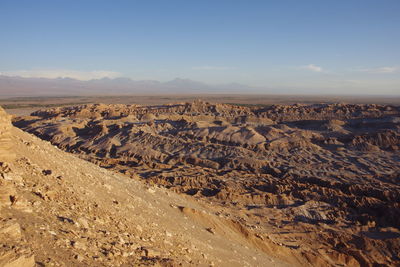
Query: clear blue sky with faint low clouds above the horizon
309, 46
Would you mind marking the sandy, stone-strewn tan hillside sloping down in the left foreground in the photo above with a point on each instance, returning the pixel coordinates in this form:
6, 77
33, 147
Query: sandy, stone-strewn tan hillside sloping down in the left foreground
58, 210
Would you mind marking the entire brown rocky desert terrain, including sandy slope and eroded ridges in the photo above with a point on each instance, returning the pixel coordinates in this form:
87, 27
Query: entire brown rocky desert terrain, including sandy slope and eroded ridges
200, 183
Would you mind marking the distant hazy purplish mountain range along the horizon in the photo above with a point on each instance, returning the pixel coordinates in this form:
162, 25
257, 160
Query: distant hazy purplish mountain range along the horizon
20, 86
